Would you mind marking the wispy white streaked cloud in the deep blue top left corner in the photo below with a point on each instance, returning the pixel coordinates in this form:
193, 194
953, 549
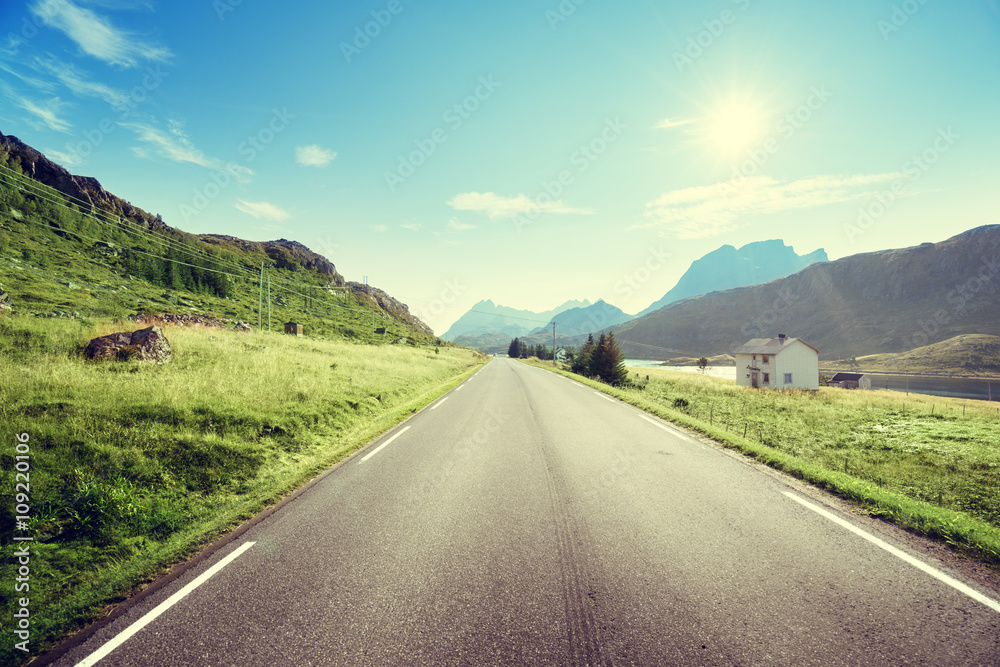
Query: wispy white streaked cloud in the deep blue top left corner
96, 36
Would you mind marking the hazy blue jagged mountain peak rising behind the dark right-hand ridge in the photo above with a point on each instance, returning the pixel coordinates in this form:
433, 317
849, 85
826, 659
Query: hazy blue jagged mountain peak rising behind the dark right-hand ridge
729, 267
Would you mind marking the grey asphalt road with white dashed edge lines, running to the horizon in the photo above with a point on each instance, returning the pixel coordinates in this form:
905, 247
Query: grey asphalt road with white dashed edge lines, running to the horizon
525, 519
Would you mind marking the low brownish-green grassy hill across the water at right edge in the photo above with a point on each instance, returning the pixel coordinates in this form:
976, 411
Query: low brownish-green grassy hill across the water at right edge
969, 354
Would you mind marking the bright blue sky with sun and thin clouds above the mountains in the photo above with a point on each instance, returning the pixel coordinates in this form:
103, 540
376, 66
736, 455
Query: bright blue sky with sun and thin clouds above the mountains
525, 152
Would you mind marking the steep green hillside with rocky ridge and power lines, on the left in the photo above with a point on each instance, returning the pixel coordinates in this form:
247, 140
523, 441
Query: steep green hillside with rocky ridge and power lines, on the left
101, 257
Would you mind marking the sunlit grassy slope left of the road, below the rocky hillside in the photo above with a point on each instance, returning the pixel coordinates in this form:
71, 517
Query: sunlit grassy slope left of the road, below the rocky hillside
134, 467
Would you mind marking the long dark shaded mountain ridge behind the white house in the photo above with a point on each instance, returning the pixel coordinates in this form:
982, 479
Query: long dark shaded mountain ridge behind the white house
888, 301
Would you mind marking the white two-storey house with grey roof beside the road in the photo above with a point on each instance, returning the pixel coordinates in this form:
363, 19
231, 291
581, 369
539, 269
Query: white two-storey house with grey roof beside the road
777, 363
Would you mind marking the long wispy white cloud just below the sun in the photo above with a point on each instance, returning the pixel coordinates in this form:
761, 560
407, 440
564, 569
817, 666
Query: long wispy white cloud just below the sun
708, 210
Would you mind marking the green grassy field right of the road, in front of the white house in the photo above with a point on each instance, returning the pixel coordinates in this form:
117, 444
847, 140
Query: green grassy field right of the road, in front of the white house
929, 464
